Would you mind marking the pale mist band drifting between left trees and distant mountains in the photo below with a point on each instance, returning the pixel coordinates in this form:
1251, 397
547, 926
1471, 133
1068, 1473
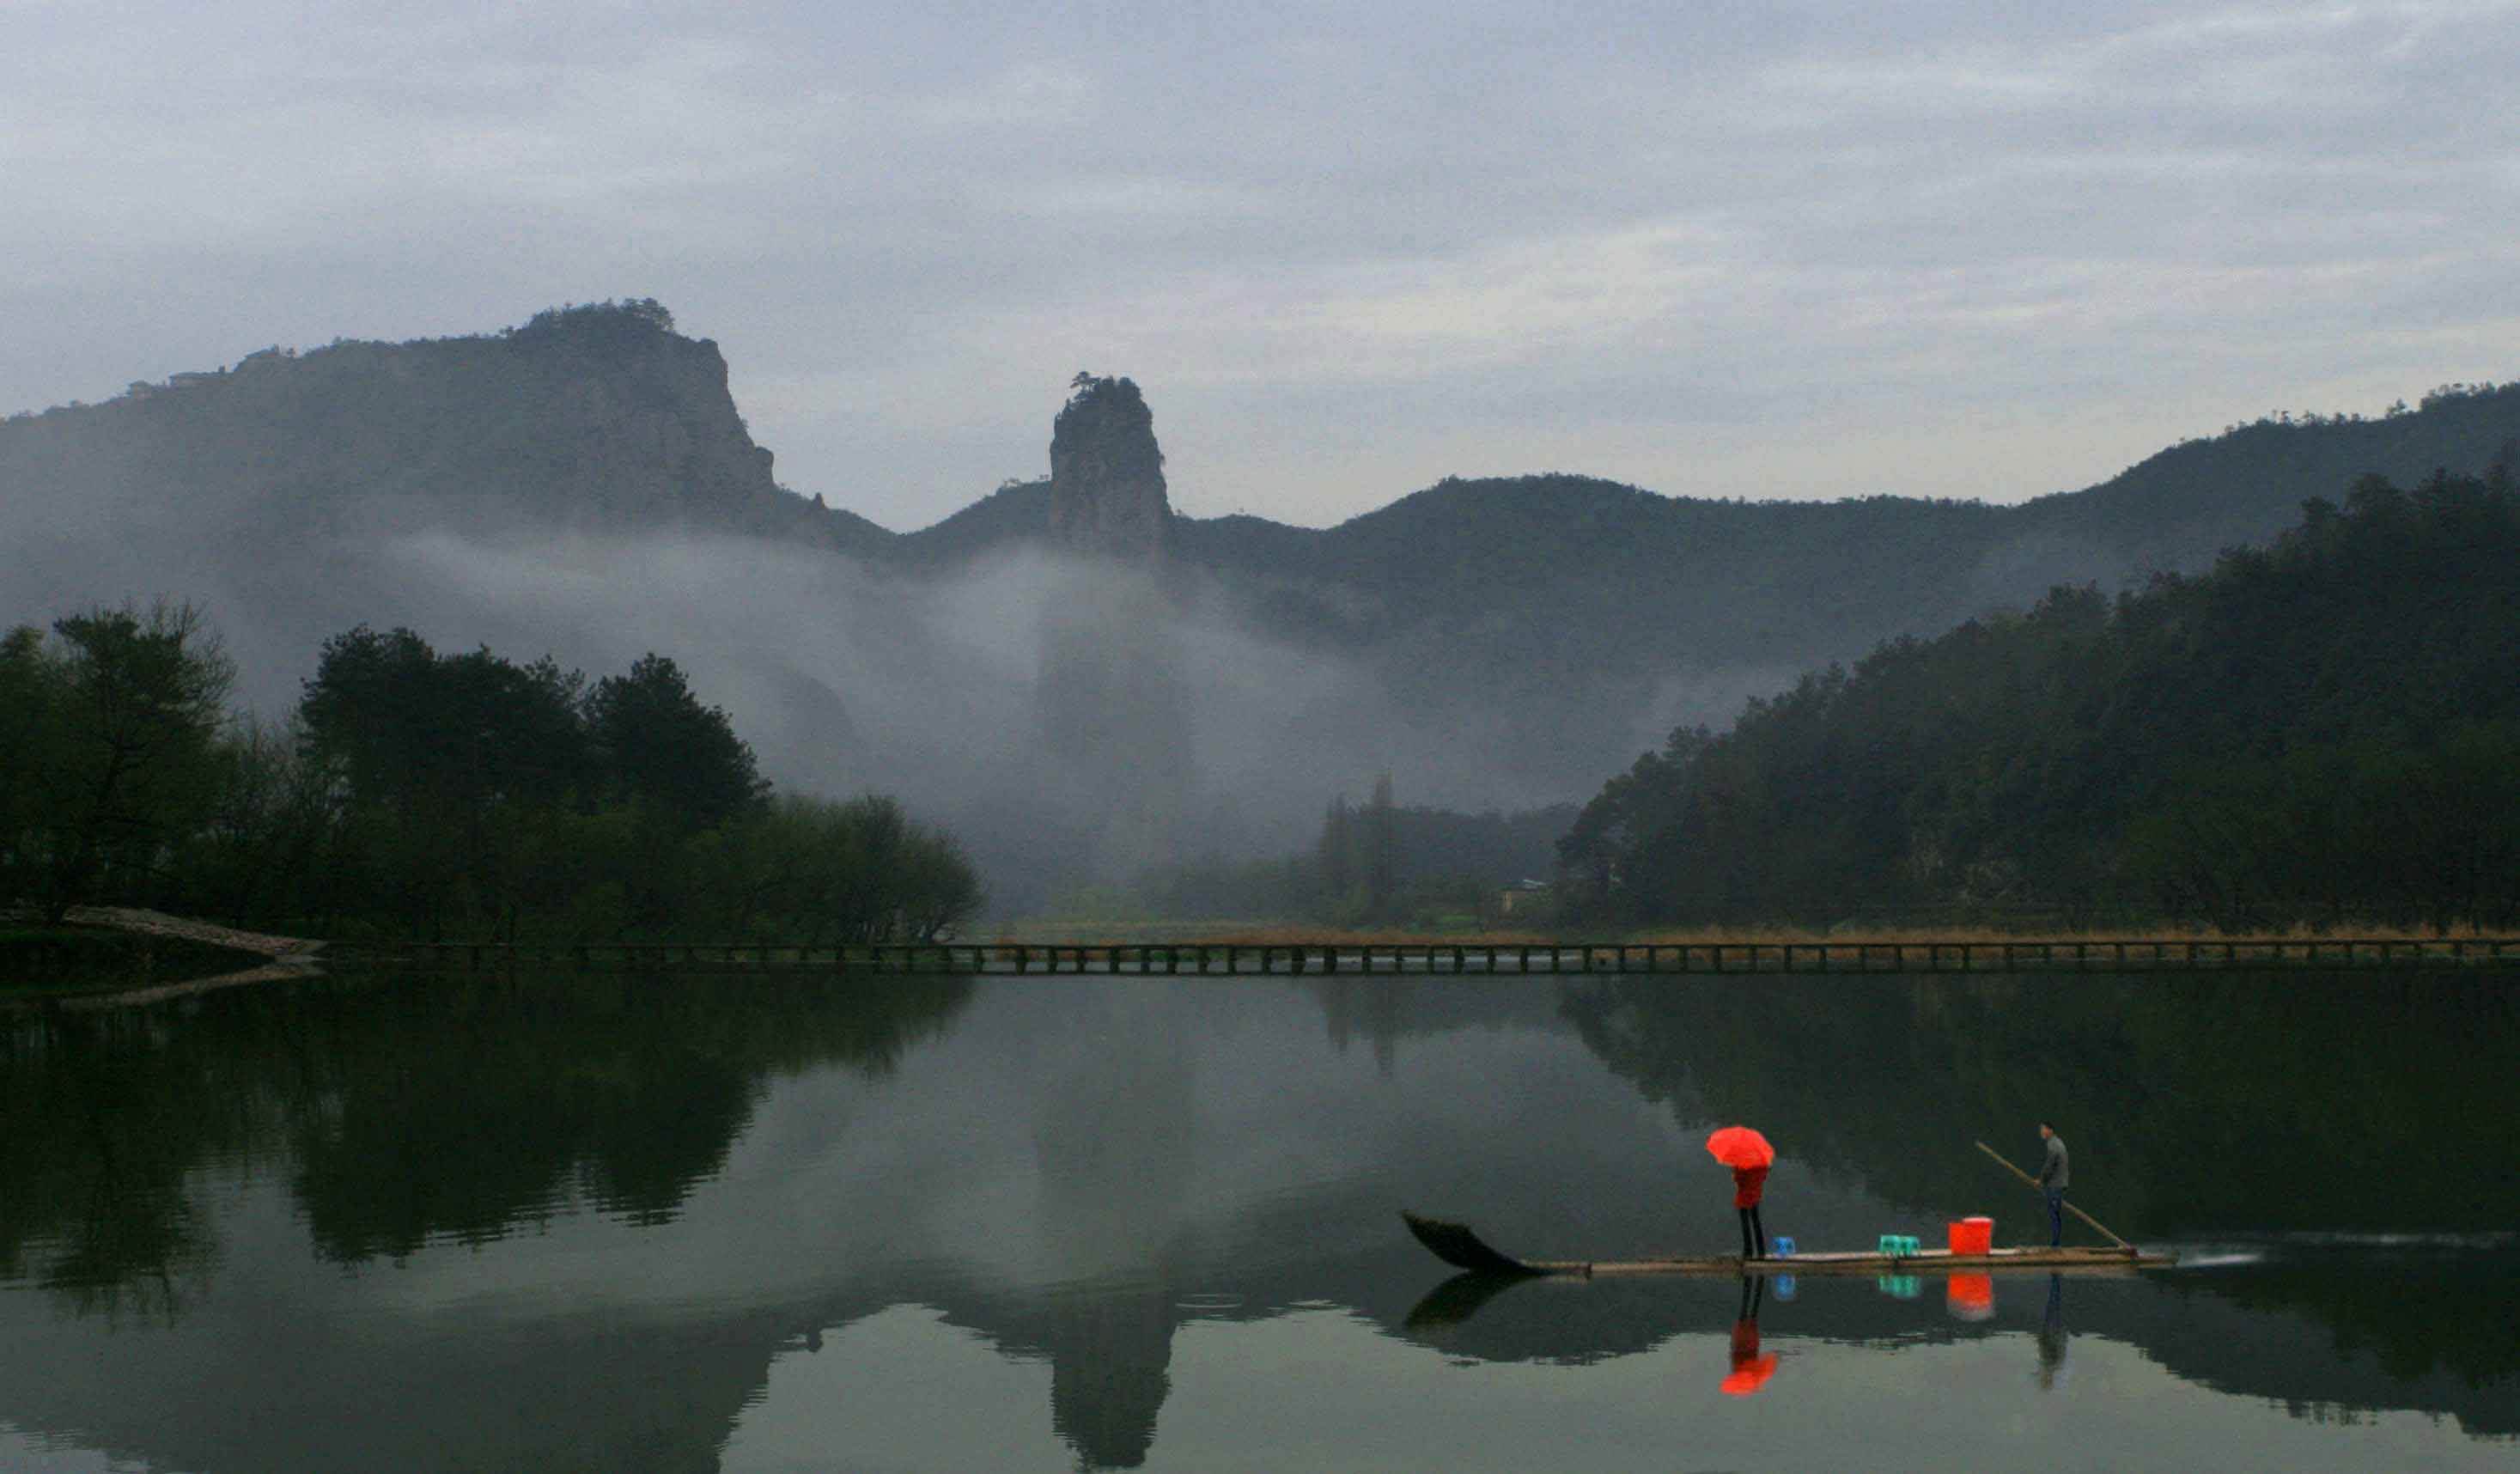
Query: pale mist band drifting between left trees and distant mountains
858, 679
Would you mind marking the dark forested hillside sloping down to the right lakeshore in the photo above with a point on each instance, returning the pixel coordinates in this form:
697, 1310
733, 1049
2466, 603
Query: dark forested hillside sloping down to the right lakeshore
2325, 732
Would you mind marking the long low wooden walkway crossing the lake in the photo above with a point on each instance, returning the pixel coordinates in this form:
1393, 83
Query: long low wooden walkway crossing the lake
1438, 959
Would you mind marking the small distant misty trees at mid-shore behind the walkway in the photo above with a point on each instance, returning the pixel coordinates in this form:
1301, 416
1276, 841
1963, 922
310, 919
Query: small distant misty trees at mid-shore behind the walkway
1375, 863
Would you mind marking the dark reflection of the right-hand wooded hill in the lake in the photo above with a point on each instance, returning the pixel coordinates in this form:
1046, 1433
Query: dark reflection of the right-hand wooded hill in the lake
2196, 1105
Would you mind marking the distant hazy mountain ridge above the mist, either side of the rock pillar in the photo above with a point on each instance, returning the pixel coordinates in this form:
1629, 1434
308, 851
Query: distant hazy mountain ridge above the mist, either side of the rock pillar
1536, 631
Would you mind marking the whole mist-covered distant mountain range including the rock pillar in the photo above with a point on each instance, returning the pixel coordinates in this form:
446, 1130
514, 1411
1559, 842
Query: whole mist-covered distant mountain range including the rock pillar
1067, 671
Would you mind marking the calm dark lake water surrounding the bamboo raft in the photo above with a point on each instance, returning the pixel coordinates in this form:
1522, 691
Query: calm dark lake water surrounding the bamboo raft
440, 1223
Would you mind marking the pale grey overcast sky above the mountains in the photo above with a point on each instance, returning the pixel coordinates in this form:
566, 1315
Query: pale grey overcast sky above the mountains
1720, 251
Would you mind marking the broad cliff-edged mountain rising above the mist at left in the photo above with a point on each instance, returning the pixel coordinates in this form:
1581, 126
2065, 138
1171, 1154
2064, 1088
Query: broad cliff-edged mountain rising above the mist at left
596, 420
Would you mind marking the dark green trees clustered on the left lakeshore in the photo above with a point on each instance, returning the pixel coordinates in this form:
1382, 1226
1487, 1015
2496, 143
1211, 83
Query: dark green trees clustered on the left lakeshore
430, 795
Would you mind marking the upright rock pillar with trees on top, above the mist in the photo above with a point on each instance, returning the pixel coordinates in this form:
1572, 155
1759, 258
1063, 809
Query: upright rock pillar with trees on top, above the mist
1108, 475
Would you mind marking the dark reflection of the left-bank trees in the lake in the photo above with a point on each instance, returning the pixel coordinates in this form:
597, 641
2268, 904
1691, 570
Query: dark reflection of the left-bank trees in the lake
412, 1110
